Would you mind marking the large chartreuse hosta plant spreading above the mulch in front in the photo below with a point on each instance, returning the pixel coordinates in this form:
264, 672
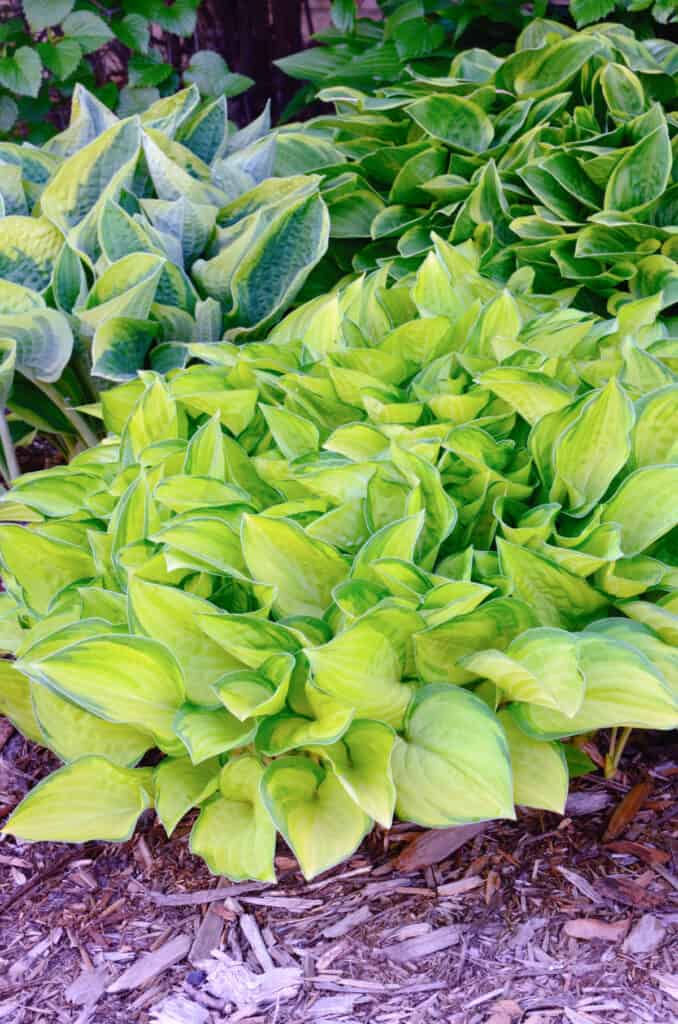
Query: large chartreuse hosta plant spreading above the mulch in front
385, 563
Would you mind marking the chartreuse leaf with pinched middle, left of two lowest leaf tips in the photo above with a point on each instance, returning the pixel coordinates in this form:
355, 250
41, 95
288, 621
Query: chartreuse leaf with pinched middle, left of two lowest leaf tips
234, 833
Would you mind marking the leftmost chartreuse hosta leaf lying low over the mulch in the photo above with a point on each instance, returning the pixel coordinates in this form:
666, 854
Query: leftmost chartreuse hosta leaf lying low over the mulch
90, 800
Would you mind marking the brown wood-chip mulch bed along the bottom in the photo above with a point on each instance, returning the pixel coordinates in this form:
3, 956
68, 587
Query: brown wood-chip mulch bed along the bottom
543, 921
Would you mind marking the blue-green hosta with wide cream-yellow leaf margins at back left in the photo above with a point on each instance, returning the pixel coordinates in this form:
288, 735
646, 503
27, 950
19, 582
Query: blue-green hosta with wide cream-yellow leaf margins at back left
122, 239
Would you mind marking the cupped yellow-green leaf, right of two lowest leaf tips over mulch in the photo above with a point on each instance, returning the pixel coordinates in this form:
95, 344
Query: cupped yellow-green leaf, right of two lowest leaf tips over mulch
314, 813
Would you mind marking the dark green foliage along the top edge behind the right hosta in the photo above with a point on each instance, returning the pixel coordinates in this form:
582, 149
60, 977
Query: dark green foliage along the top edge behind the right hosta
422, 36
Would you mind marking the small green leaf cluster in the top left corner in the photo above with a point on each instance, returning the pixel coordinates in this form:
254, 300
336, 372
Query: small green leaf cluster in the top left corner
59, 44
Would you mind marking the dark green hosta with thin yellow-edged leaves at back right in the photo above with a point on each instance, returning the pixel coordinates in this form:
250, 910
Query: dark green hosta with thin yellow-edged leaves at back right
560, 157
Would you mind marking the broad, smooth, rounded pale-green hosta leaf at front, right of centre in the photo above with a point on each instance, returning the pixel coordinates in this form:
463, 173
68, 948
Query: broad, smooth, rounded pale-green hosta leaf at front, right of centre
453, 764
